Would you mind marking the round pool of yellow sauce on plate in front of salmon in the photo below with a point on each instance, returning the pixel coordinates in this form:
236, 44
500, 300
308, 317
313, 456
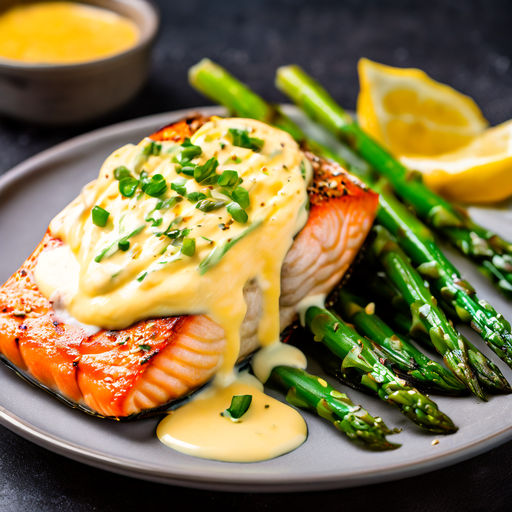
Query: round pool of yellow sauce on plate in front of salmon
268, 429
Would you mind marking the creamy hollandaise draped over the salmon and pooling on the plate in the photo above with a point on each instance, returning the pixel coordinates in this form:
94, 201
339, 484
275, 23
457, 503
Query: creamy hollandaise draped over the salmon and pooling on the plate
180, 229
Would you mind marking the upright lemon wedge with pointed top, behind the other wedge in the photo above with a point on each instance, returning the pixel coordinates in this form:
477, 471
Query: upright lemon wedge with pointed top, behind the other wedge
412, 114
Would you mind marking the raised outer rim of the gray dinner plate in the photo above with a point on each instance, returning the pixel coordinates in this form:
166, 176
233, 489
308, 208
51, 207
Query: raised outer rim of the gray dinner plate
206, 479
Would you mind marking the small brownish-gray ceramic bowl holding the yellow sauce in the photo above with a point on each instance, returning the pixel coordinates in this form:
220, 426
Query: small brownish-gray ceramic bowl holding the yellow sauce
73, 93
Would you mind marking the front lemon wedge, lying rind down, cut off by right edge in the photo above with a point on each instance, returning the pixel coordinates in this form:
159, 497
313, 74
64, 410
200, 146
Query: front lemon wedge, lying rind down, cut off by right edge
480, 172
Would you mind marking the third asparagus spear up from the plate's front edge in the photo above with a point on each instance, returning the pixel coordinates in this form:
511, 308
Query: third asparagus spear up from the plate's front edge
402, 354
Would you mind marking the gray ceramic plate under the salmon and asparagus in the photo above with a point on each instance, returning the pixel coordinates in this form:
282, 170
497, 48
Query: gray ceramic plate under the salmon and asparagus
32, 193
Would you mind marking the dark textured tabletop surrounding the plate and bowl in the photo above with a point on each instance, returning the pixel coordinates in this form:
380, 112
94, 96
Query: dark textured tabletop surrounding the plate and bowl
466, 44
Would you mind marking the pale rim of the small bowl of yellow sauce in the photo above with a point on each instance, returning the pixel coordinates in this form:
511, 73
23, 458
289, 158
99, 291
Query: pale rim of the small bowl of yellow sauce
146, 8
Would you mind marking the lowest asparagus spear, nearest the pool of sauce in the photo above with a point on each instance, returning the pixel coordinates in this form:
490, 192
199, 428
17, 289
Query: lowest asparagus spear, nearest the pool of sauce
310, 392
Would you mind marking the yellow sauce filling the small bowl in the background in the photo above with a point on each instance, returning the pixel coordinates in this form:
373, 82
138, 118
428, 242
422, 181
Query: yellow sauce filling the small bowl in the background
63, 33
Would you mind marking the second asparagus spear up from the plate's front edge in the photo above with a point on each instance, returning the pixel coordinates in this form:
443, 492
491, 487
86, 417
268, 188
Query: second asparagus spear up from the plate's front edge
356, 353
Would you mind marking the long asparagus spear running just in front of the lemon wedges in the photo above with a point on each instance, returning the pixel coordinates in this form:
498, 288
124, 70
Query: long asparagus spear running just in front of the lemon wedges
474, 241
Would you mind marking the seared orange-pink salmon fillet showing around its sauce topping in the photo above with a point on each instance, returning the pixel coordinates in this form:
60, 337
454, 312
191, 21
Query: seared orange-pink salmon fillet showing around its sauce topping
153, 362
